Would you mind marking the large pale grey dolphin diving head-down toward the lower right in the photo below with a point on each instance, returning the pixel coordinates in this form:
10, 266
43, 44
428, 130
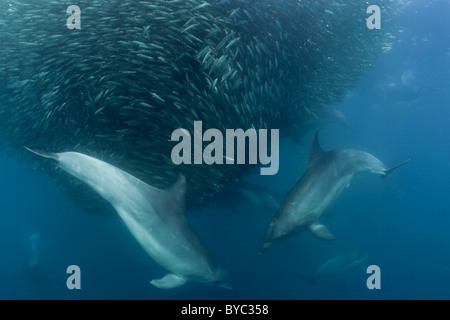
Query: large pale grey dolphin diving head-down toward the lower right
155, 217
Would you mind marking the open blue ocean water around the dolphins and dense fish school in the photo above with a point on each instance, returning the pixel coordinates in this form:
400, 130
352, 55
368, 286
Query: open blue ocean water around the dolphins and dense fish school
400, 110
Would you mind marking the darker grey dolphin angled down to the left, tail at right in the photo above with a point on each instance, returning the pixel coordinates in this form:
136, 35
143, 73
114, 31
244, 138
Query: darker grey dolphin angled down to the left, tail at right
328, 173
